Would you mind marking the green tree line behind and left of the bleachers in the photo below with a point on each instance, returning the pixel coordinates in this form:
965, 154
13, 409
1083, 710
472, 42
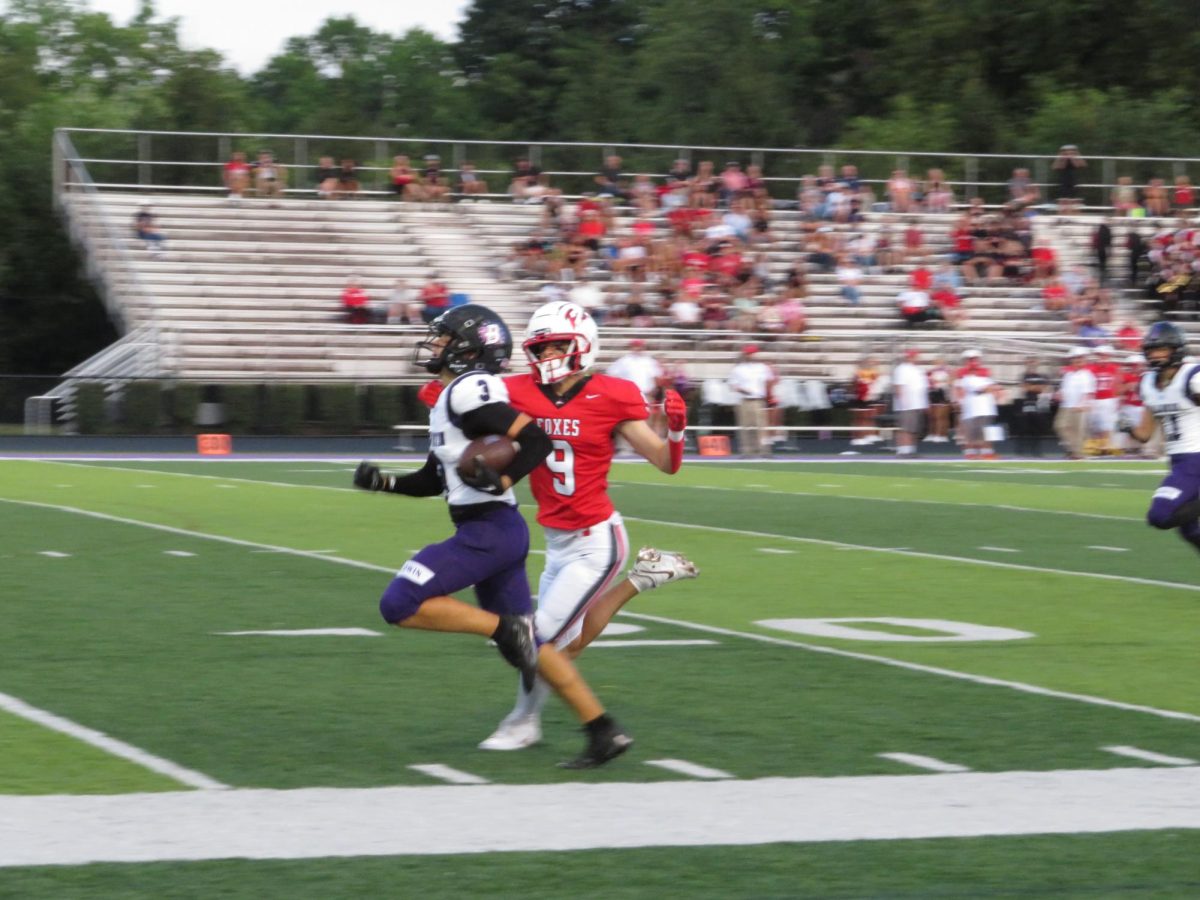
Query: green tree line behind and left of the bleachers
971, 76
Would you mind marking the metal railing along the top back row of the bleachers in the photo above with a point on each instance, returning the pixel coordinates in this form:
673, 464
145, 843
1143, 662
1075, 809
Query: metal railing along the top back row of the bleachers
193, 161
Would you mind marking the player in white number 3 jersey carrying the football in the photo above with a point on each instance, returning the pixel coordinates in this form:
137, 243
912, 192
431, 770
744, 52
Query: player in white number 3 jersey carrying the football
467, 349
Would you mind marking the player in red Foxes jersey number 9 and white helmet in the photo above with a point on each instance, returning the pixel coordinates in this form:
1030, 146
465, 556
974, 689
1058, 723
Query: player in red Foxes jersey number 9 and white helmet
584, 413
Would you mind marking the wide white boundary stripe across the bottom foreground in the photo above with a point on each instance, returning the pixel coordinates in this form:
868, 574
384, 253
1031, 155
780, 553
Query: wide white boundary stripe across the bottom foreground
580, 815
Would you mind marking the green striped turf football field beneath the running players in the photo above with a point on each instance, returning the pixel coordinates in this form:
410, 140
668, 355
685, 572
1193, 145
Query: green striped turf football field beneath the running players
125, 579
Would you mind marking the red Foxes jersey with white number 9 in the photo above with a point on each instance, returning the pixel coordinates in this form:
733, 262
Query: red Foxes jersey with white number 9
572, 487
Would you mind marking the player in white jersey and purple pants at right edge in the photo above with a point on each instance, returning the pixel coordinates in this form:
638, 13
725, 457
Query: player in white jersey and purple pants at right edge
1171, 393
